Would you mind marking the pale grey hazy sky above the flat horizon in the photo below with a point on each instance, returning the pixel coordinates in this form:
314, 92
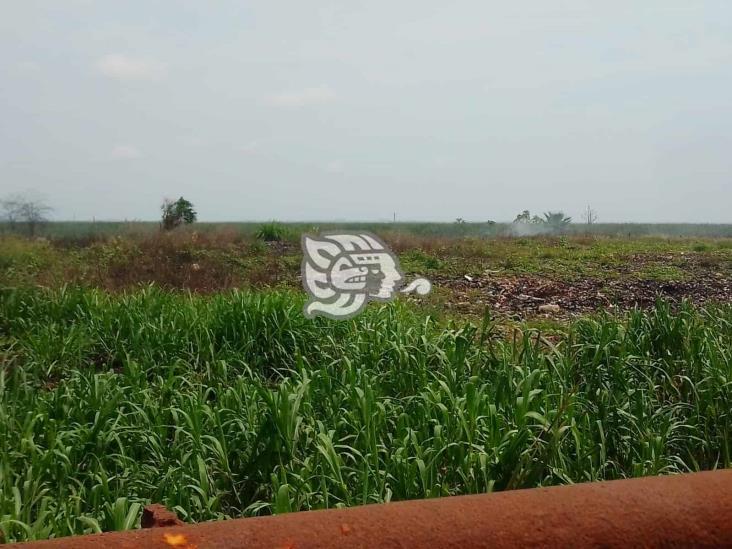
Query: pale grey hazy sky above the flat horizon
347, 110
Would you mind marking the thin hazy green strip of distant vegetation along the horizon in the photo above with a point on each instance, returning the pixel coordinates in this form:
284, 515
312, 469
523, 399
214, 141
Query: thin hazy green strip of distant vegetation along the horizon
101, 229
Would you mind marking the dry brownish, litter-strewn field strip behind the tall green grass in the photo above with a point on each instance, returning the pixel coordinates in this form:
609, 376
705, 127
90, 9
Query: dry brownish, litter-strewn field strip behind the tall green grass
512, 276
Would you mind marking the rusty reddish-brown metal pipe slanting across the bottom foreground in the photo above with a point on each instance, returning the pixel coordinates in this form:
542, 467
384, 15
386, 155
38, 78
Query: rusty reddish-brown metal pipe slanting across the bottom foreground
674, 511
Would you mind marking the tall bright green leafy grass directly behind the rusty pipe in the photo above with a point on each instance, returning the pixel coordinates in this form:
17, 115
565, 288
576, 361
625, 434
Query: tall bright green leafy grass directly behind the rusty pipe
235, 405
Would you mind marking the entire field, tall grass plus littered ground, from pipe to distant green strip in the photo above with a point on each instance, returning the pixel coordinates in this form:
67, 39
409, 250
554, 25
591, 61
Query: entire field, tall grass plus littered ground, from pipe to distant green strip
130, 376
